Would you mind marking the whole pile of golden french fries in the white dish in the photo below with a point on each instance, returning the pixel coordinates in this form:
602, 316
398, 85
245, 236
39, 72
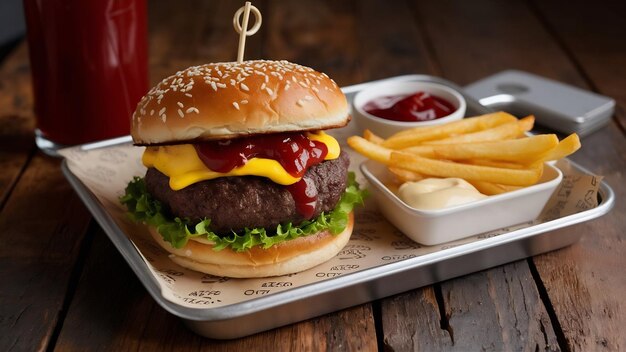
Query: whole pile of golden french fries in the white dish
492, 152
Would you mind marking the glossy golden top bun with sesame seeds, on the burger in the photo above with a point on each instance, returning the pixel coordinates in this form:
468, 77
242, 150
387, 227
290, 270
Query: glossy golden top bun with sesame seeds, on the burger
228, 100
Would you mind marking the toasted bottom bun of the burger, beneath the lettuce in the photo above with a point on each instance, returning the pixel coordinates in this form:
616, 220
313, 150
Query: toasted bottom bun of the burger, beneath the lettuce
284, 258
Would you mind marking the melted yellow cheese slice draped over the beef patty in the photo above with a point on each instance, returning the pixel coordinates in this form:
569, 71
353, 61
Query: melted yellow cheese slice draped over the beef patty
183, 166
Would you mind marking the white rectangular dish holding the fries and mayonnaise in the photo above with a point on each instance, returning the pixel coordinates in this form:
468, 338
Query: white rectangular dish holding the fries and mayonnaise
431, 227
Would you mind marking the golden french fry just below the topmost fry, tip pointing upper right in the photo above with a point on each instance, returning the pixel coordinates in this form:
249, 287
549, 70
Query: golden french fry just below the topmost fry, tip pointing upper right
508, 130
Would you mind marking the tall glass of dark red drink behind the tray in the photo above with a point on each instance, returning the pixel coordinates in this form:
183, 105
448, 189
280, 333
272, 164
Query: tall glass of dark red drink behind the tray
89, 67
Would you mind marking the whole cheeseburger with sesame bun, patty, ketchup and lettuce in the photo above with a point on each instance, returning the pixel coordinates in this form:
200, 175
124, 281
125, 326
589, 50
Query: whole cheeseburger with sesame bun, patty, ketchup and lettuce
242, 180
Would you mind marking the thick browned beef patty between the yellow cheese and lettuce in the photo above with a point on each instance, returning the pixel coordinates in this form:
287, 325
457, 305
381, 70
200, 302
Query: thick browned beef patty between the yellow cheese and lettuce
234, 203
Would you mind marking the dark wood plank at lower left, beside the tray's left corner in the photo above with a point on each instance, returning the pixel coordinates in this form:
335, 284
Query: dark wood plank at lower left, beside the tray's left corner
41, 229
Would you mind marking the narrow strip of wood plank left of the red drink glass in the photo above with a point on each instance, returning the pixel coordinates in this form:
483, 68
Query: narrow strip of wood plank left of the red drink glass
17, 141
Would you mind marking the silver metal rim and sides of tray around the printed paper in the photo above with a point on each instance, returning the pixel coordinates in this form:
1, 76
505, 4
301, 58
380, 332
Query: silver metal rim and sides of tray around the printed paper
304, 302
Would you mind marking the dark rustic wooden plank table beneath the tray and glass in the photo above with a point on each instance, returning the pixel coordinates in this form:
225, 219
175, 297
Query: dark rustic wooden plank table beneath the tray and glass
63, 286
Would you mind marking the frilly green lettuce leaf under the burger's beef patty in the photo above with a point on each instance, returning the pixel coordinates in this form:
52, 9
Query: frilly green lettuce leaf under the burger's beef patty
142, 207
